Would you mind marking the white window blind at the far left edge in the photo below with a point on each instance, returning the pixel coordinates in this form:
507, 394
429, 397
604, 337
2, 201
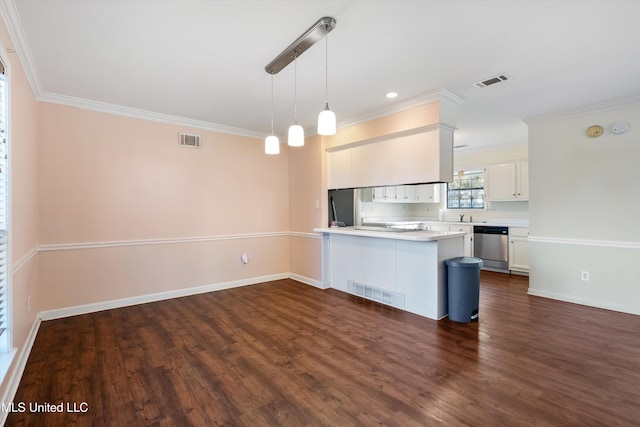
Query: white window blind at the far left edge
3, 203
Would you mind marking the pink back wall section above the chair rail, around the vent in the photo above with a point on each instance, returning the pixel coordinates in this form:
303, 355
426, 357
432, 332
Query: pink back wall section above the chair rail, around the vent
105, 177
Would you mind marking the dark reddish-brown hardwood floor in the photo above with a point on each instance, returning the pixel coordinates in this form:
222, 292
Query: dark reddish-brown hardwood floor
284, 353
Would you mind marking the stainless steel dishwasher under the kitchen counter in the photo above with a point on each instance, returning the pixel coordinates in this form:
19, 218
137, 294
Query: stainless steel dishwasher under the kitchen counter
490, 244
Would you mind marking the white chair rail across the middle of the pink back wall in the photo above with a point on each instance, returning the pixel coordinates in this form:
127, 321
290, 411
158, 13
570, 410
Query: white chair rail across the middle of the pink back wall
168, 241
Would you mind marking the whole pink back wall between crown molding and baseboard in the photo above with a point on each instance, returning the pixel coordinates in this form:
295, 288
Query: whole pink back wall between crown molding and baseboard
128, 183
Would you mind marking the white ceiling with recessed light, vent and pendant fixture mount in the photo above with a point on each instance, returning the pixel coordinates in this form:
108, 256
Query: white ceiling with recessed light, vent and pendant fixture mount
204, 61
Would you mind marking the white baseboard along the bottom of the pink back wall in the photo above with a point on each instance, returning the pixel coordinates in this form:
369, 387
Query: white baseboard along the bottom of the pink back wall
160, 296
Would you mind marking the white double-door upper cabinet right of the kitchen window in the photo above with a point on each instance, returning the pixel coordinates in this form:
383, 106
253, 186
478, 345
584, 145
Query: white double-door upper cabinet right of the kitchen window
507, 182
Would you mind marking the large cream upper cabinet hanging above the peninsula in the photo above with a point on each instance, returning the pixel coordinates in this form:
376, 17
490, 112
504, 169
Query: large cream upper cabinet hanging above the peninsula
425, 157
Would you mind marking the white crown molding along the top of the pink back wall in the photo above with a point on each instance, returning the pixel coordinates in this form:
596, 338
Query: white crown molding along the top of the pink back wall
120, 110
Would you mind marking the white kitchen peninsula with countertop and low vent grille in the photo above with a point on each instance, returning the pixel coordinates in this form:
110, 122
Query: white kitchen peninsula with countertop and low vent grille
404, 269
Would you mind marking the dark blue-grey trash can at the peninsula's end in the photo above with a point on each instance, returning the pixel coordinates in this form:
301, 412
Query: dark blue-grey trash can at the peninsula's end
463, 279
